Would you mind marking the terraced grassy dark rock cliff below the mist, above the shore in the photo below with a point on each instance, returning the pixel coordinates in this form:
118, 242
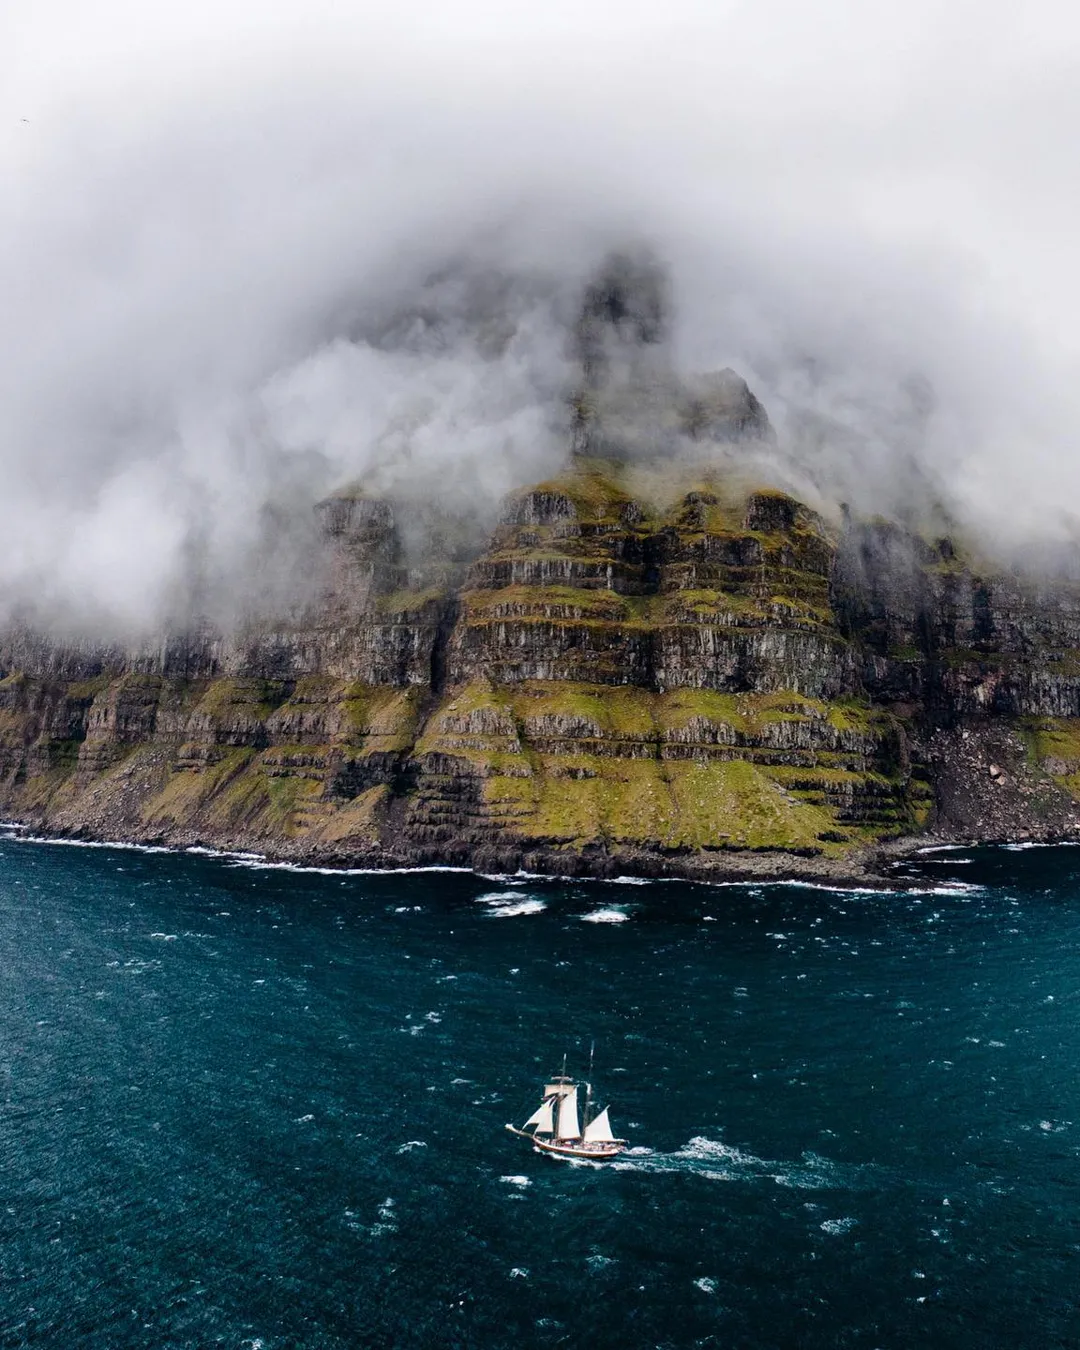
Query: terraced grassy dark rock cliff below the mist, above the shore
646, 670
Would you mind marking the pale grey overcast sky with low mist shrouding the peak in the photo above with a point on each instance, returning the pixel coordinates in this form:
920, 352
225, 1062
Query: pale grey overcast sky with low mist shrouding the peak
205, 202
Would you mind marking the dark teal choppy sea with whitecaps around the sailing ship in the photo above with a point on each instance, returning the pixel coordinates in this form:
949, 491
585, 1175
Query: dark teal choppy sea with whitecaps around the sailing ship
264, 1109
